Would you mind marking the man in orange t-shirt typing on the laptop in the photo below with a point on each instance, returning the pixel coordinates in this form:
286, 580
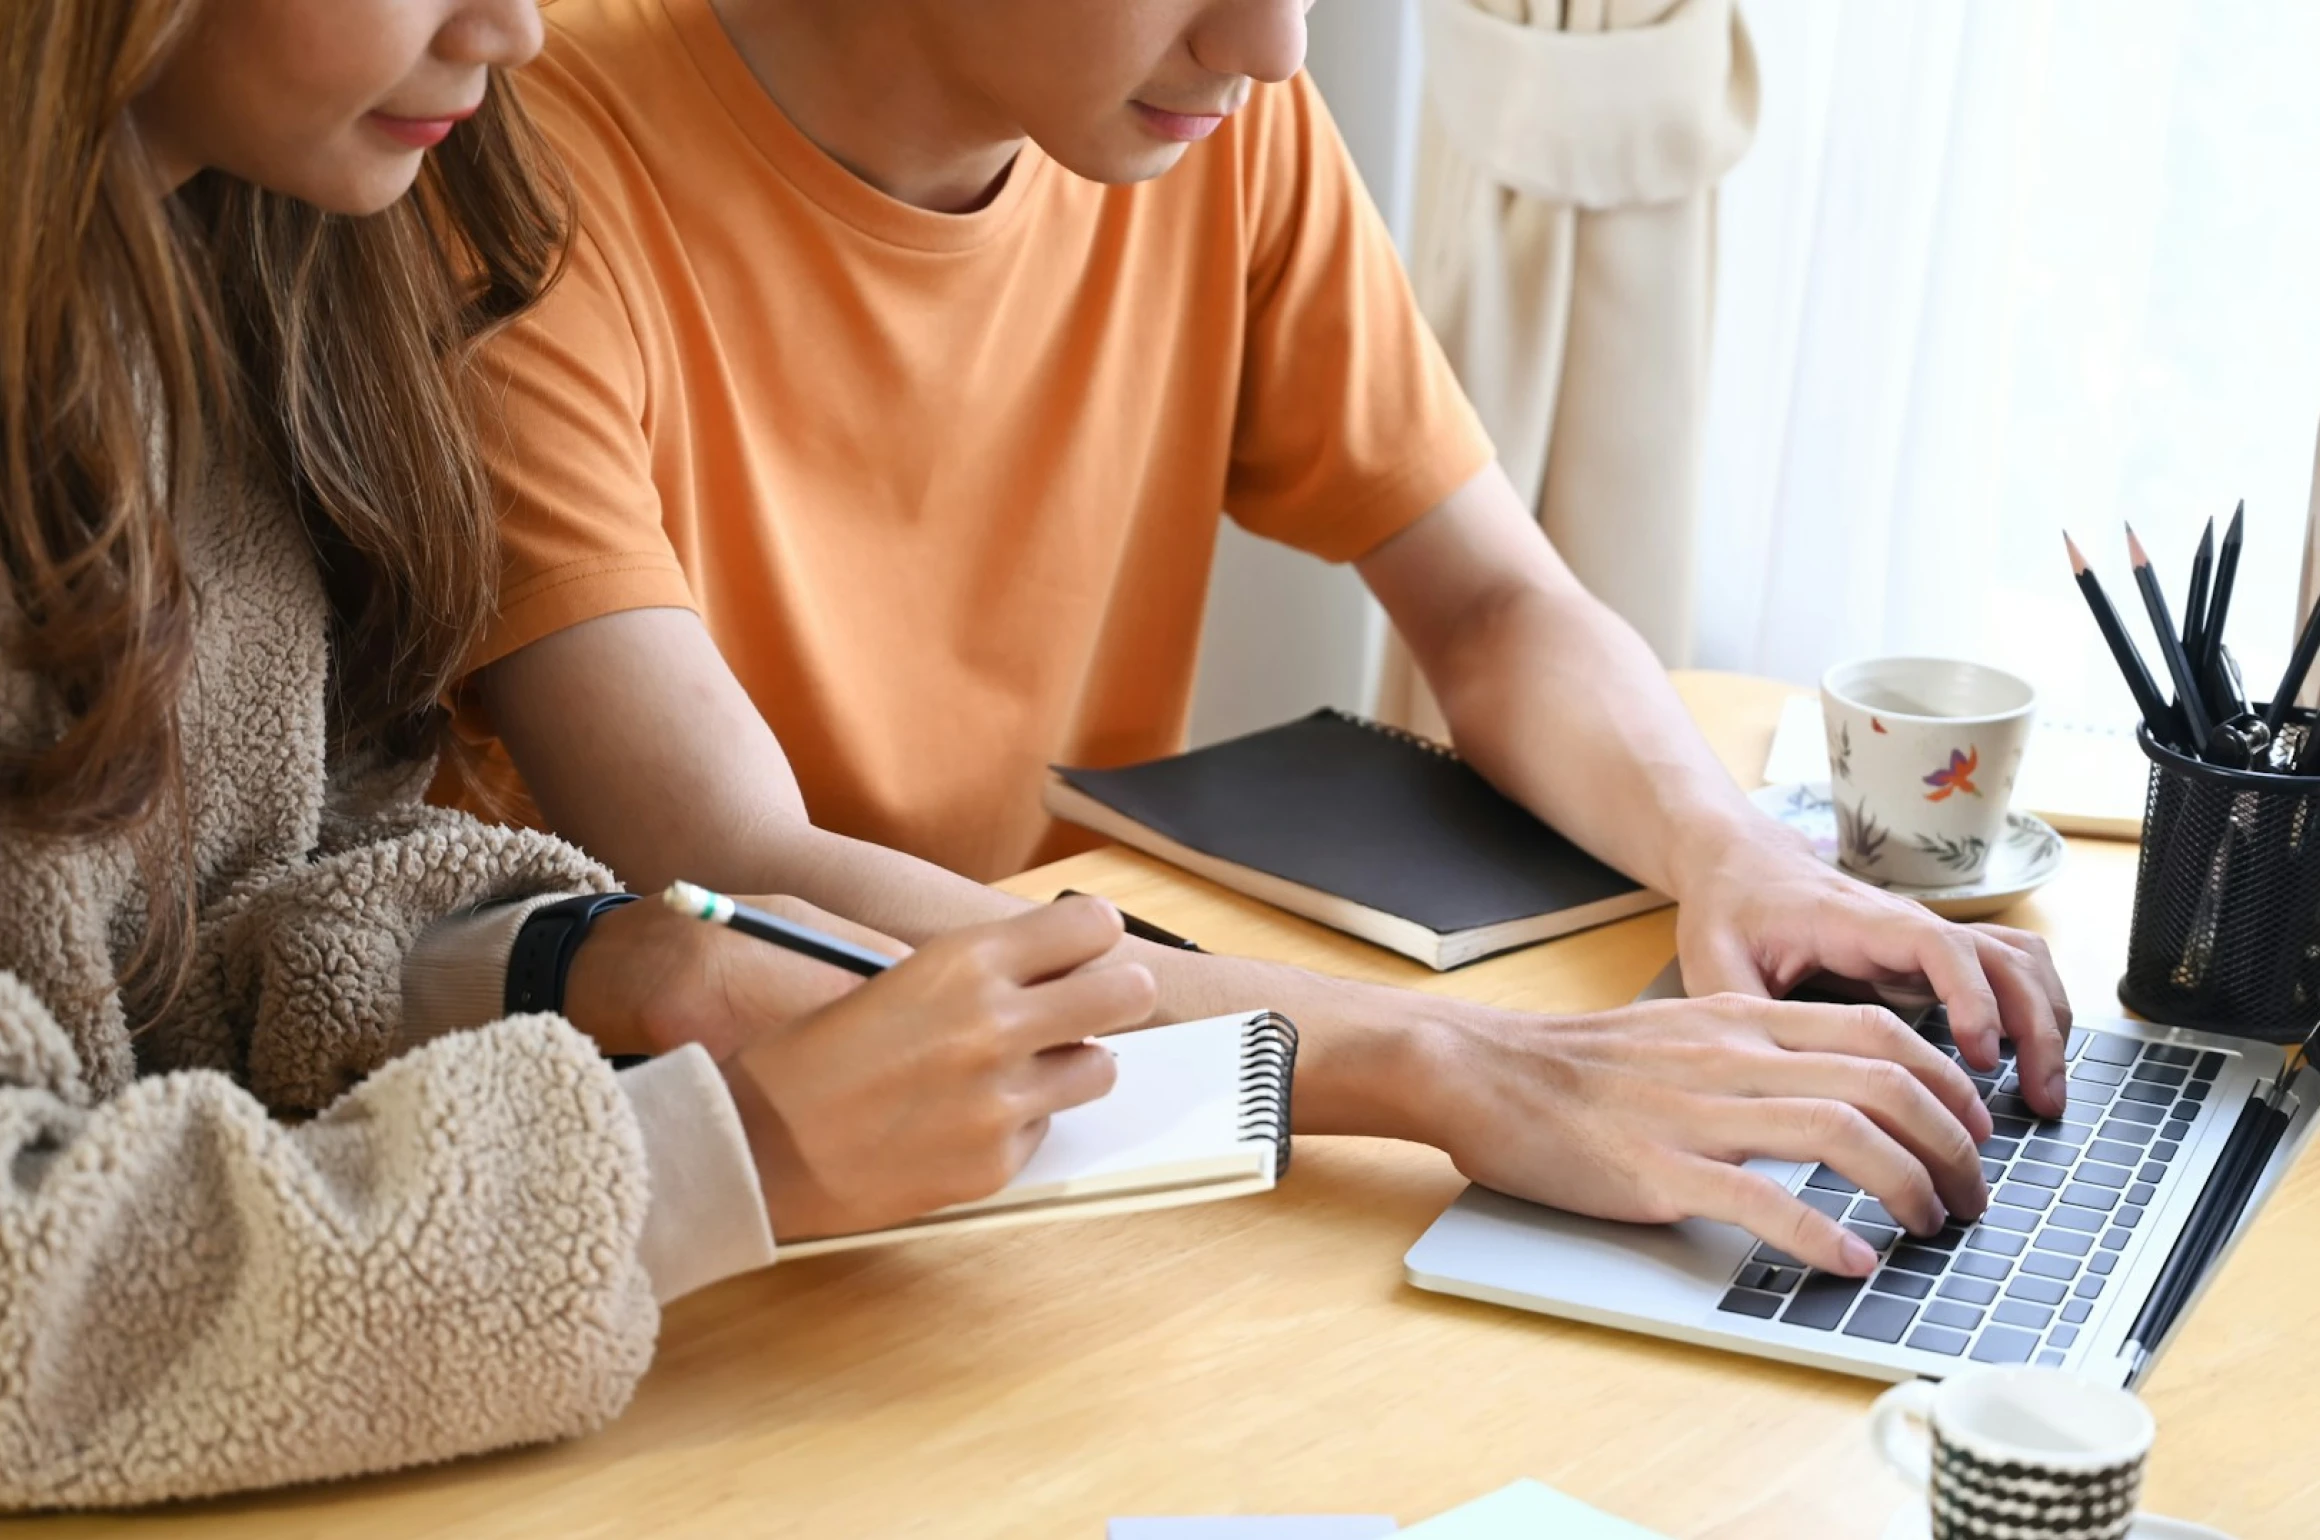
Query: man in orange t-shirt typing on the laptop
871, 453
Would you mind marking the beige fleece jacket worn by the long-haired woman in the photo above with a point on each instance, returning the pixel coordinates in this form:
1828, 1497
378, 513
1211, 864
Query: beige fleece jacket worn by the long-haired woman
287, 1233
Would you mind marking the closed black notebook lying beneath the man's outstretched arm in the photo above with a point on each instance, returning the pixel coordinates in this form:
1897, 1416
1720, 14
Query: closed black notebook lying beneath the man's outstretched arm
1358, 827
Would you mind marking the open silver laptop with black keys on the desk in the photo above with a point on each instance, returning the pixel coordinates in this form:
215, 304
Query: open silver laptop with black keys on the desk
2101, 1233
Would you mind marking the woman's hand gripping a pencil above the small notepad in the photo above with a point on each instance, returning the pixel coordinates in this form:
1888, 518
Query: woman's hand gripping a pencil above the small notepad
934, 1082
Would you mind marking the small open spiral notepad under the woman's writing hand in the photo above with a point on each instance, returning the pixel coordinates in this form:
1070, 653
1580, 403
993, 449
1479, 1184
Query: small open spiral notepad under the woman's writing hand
1201, 1112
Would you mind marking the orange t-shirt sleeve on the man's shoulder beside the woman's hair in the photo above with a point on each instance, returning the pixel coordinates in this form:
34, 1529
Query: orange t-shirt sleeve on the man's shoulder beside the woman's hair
567, 440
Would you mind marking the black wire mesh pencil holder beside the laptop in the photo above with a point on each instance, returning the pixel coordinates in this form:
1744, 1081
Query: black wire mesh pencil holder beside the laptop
2228, 899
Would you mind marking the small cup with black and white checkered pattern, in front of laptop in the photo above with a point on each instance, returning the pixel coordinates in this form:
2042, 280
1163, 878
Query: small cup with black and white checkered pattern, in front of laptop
2017, 1453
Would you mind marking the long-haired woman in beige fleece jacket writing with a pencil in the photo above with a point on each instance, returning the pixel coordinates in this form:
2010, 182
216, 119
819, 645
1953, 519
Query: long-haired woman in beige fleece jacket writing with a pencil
280, 1196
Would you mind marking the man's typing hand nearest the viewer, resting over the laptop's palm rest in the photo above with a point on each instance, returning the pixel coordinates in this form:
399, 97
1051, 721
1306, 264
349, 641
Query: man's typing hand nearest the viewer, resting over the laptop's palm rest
1646, 1114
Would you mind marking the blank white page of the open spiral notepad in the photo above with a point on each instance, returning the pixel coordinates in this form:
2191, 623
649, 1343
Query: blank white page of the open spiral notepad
1175, 1117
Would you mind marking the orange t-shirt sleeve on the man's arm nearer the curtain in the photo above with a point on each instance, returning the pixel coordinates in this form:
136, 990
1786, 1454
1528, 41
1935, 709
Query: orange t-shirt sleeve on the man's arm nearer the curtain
1351, 423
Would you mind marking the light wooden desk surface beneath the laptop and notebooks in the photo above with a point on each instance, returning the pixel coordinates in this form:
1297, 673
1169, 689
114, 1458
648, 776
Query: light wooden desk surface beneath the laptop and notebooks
1266, 1356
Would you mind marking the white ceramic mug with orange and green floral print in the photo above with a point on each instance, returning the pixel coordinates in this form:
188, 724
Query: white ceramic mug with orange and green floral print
1922, 762
